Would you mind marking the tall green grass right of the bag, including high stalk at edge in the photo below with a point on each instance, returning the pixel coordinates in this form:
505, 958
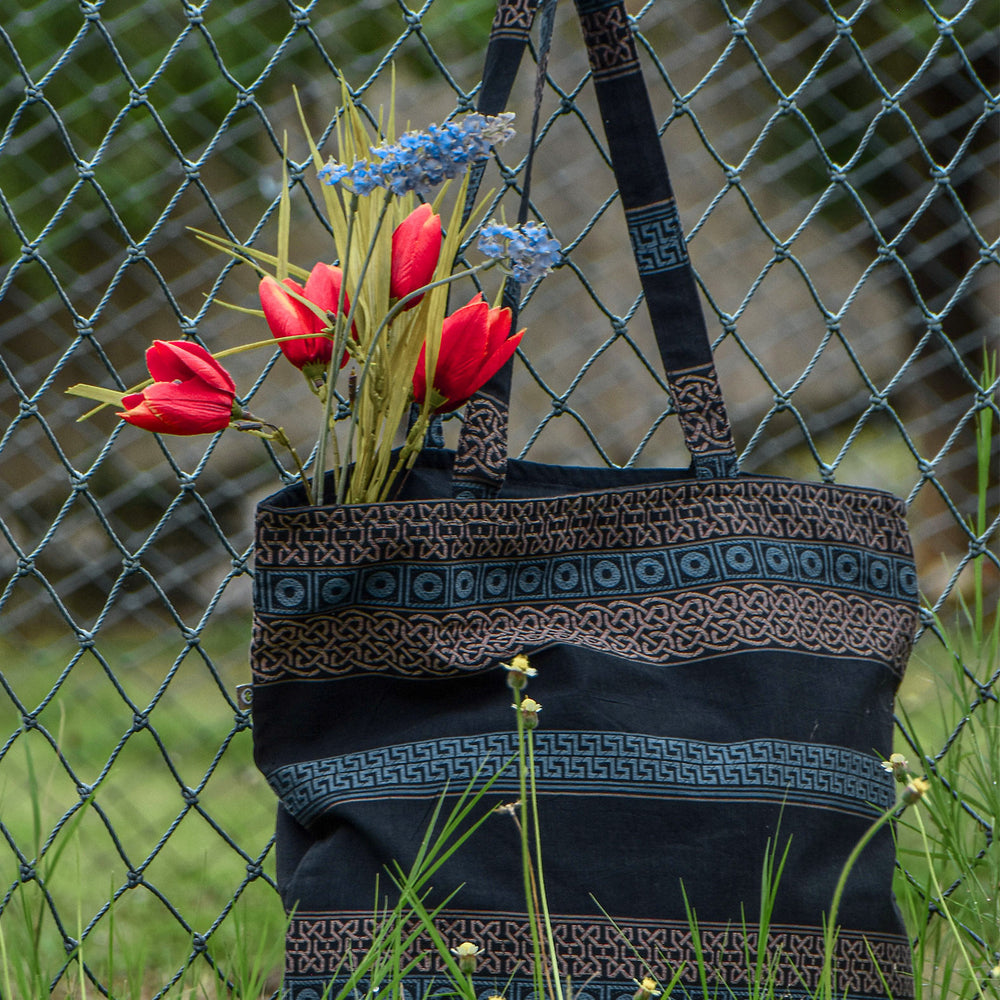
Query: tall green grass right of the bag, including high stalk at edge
949, 876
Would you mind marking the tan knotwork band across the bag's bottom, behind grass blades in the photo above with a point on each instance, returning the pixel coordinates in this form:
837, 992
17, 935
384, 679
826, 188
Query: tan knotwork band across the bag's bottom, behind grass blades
606, 958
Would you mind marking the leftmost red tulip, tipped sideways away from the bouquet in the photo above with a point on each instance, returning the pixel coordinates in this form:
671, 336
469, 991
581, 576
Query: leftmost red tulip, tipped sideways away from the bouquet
191, 393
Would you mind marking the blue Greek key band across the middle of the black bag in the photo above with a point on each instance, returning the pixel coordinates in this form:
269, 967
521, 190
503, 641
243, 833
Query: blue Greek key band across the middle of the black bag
594, 764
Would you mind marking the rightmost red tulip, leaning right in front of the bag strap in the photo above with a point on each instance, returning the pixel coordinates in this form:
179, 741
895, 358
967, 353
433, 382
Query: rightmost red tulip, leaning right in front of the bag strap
474, 346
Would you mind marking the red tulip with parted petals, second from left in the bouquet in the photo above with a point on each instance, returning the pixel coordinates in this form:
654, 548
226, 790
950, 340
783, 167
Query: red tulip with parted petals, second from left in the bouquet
288, 317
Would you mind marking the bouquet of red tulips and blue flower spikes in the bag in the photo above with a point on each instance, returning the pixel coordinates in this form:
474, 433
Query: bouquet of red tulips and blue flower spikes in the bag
370, 331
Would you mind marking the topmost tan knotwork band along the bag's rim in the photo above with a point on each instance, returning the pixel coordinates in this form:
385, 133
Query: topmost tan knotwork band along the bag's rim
630, 518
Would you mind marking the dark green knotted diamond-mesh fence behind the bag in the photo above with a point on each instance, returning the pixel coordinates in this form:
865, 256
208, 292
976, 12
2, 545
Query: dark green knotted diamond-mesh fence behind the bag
836, 165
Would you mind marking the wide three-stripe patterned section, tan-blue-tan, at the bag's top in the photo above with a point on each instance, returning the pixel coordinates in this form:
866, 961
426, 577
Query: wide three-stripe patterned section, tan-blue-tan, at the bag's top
660, 573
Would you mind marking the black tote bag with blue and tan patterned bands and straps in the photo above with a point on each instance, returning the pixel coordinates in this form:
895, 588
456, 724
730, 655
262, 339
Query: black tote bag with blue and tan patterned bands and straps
717, 657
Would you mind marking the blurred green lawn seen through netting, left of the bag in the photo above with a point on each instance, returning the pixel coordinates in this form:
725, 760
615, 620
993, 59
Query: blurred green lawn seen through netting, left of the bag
188, 771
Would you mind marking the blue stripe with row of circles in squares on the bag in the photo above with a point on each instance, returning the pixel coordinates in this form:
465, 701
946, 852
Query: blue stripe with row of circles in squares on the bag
423, 586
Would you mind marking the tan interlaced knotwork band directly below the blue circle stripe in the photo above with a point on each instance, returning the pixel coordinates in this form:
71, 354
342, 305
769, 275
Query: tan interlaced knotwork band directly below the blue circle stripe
713, 622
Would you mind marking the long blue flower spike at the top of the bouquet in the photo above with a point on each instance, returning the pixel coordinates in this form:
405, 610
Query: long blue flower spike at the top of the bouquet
421, 160
